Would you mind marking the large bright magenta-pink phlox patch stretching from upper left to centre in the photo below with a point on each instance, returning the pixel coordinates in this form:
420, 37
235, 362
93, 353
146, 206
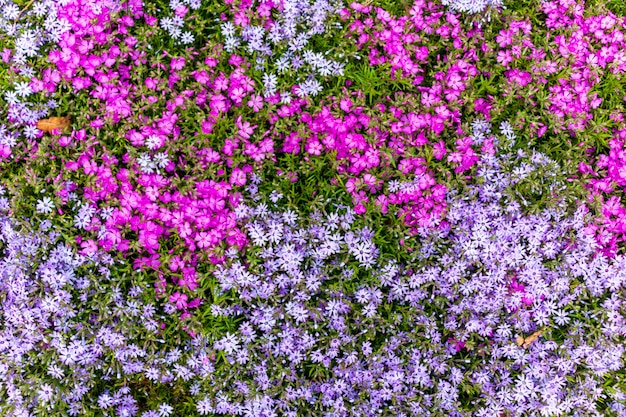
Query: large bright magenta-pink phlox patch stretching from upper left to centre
135, 187
